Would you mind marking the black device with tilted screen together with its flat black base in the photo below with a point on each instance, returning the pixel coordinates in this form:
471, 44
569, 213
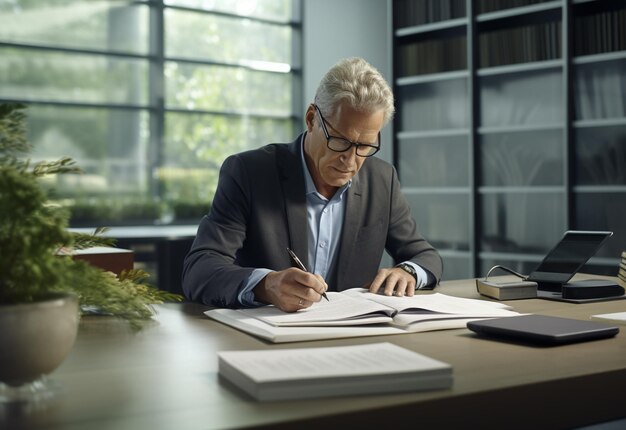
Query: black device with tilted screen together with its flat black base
564, 261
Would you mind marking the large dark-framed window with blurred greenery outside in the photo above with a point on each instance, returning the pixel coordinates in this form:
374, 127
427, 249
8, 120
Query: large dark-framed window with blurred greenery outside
149, 97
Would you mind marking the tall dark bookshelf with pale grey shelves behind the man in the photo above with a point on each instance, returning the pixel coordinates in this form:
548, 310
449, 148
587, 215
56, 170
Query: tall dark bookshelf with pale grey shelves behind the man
511, 126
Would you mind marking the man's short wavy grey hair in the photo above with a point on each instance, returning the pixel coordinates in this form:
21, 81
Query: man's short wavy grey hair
358, 83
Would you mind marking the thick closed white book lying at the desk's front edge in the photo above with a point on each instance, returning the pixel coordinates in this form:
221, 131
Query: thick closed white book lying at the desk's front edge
301, 373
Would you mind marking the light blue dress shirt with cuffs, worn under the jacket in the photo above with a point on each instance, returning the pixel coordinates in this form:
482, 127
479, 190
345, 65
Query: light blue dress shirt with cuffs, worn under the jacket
325, 222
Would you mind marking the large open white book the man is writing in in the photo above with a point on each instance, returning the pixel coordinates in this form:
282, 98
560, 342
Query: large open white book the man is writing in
357, 312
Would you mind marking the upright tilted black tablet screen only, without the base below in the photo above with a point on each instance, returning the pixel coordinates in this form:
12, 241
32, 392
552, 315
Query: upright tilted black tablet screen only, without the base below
567, 258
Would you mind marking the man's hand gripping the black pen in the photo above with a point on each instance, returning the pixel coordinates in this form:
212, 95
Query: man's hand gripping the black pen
291, 289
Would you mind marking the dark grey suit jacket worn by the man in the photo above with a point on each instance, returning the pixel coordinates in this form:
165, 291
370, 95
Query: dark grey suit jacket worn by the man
259, 210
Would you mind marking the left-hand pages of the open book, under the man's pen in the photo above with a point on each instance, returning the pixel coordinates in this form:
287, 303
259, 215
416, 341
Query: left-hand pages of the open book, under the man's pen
340, 309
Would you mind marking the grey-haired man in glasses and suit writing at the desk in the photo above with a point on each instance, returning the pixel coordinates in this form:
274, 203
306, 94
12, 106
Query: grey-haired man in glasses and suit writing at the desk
322, 196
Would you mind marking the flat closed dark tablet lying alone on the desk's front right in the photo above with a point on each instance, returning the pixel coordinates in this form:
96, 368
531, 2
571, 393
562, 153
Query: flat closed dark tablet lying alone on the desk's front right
542, 329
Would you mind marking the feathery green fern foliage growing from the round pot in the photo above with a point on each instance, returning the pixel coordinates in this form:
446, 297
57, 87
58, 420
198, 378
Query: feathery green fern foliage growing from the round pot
32, 231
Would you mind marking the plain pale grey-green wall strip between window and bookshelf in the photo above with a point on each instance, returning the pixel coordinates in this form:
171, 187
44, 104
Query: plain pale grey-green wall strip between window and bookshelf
336, 29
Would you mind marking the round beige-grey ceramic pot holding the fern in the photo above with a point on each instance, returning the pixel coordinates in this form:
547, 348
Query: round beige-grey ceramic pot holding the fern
36, 337
